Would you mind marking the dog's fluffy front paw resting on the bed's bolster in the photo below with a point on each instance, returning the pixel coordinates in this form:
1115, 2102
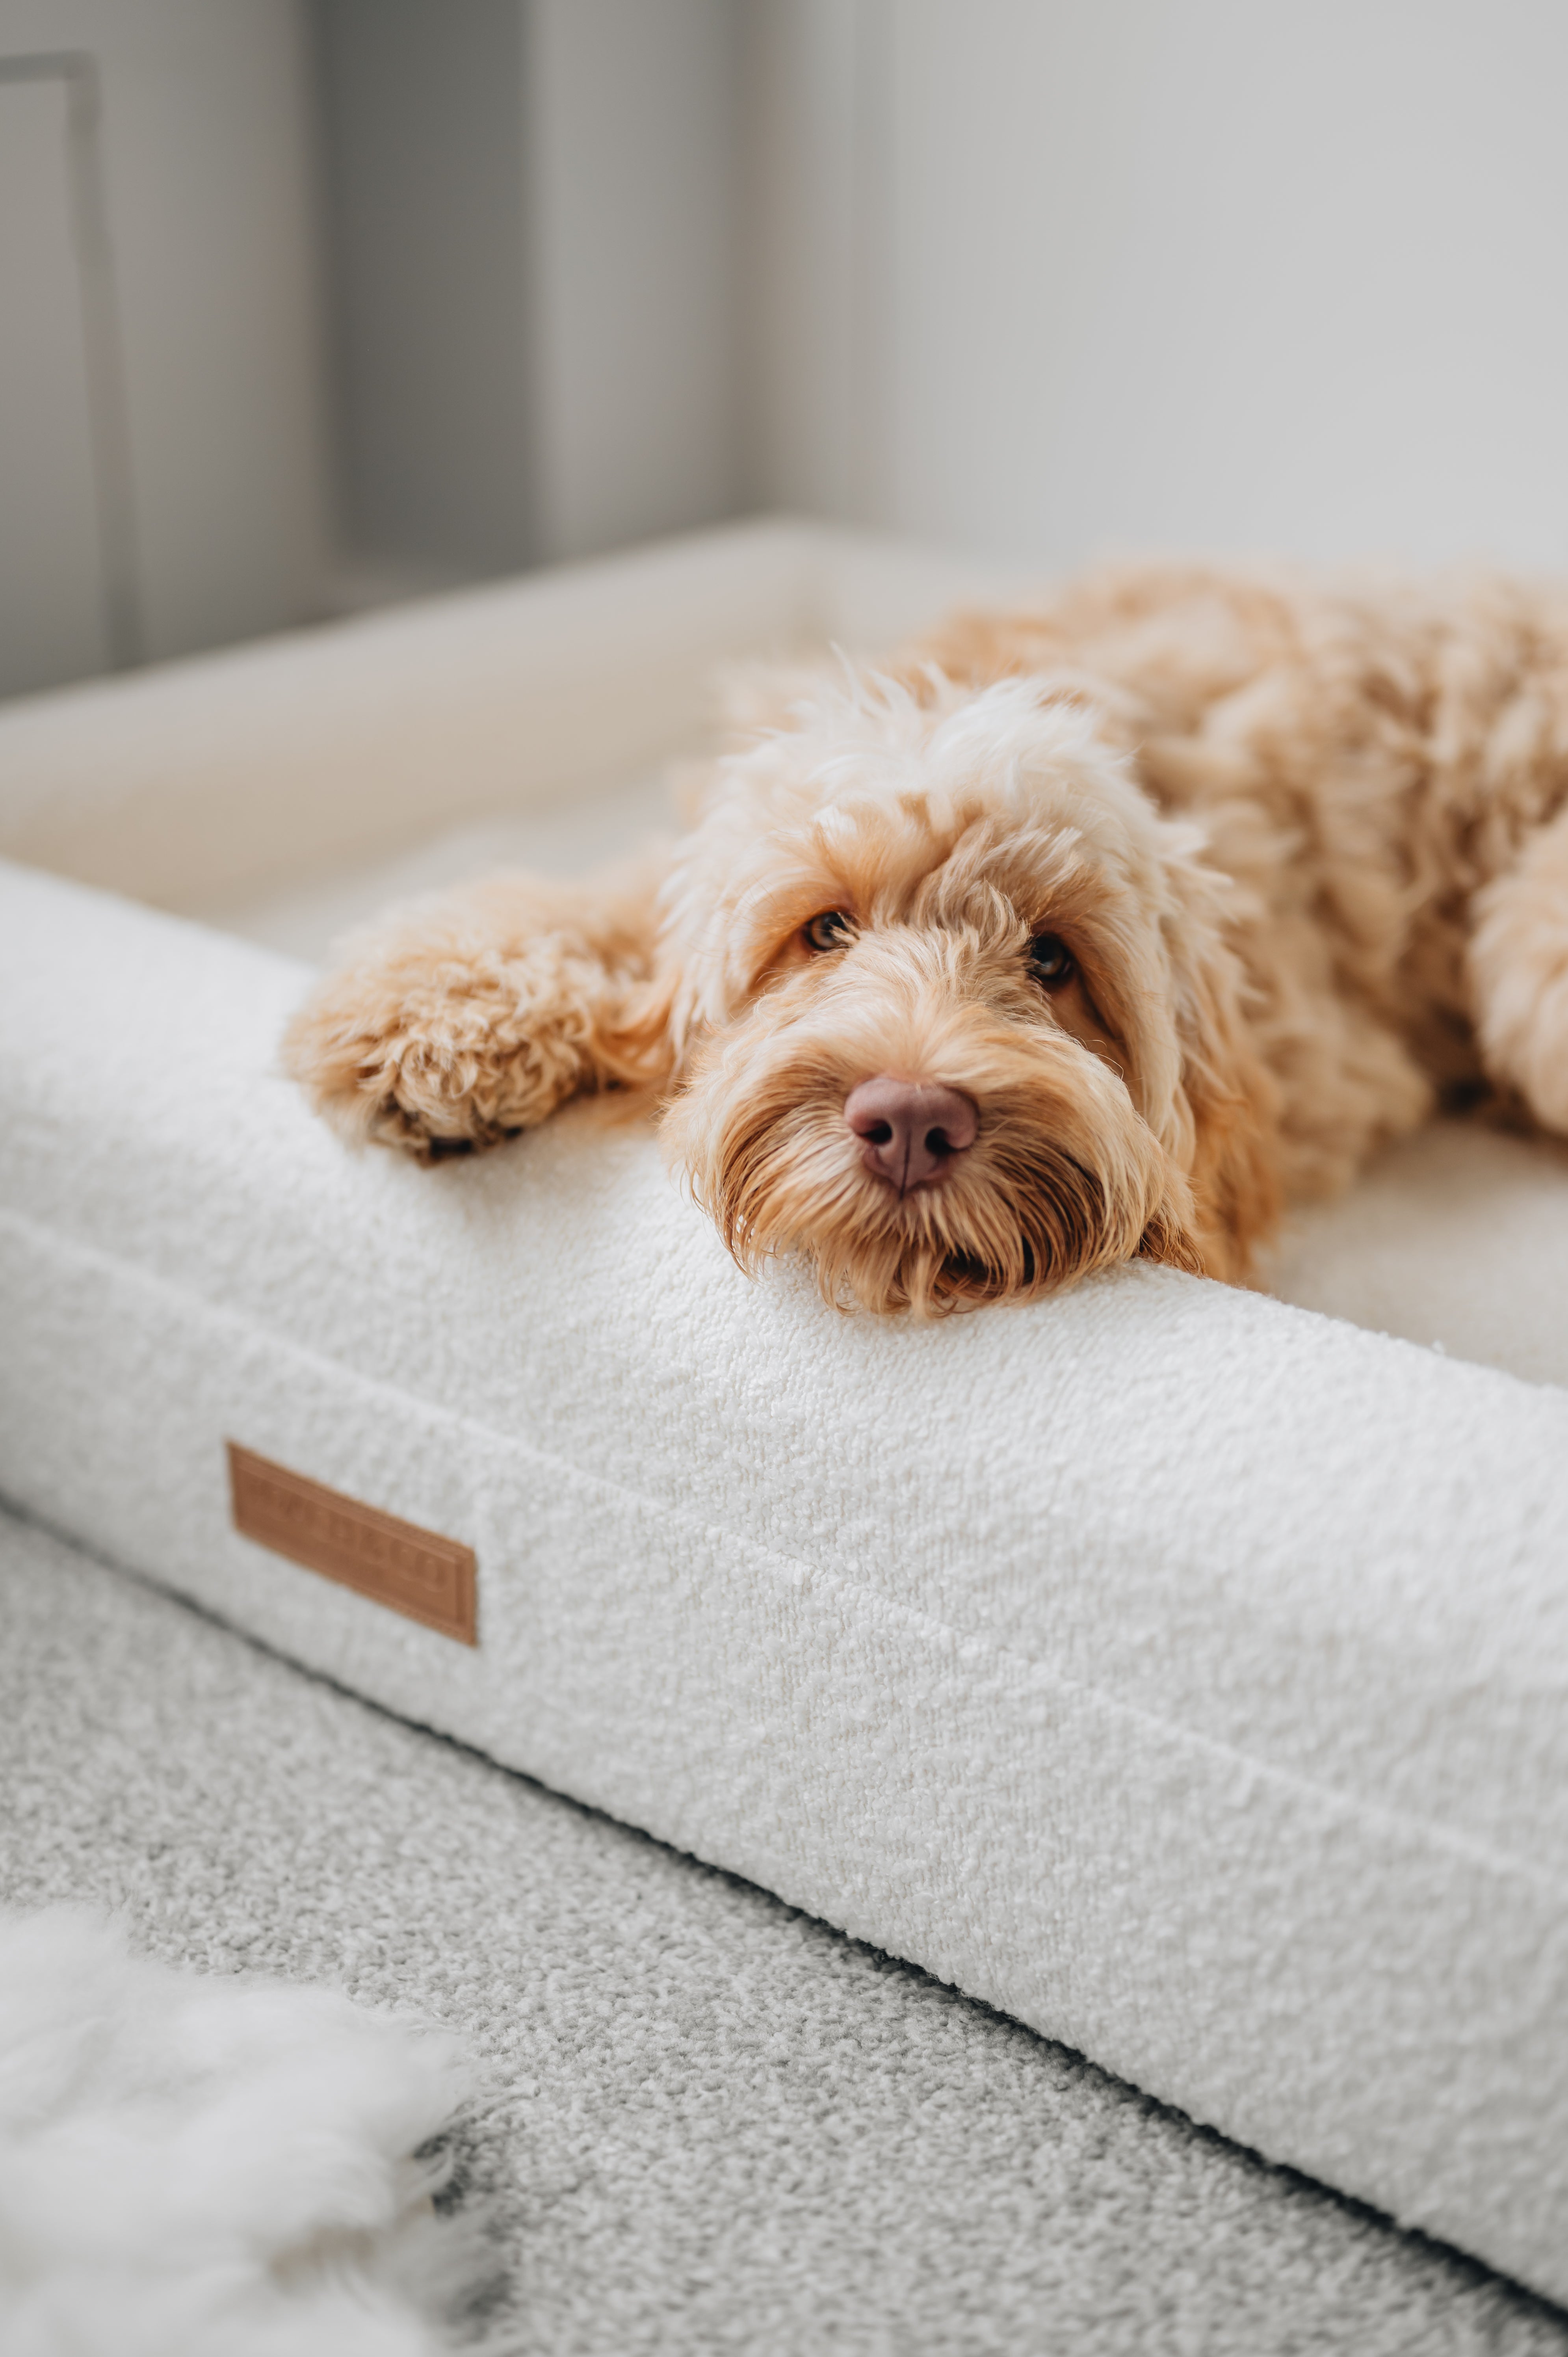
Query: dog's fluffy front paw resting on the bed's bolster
440, 1041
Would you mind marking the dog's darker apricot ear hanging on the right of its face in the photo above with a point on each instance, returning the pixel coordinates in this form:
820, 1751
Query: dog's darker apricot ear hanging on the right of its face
1225, 1125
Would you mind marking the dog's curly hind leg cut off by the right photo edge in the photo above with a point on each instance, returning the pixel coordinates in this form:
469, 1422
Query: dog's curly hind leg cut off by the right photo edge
1520, 975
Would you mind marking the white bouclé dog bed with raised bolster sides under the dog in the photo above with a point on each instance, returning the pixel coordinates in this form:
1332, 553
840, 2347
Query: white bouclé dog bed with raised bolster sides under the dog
1173, 1668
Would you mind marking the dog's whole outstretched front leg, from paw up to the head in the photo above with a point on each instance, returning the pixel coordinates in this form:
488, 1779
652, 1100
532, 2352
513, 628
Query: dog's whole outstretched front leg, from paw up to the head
463, 1019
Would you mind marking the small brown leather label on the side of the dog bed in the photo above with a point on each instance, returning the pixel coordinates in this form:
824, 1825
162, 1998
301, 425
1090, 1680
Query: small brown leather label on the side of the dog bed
397, 1564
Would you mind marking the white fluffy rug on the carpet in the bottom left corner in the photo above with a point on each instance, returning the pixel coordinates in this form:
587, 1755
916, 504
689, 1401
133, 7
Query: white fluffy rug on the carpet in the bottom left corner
209, 2167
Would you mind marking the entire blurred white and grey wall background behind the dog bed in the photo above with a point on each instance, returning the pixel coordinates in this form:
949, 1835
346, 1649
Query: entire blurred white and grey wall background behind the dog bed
1032, 277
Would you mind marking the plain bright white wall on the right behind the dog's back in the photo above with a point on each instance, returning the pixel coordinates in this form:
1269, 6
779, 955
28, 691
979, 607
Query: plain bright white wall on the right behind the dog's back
1048, 277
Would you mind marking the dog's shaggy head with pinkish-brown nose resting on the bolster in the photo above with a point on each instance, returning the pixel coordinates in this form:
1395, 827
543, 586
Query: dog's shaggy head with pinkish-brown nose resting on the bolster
951, 1005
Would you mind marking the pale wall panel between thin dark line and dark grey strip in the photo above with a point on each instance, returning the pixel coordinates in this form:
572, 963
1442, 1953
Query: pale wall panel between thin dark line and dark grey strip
209, 180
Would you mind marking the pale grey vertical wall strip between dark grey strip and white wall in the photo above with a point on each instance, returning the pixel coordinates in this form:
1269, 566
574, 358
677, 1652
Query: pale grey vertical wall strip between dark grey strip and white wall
635, 183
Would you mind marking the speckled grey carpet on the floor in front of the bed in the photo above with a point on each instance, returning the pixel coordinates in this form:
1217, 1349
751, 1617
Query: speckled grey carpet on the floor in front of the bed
706, 2120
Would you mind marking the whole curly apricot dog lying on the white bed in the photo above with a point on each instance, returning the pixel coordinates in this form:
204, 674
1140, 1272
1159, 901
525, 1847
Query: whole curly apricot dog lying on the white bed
1076, 935
